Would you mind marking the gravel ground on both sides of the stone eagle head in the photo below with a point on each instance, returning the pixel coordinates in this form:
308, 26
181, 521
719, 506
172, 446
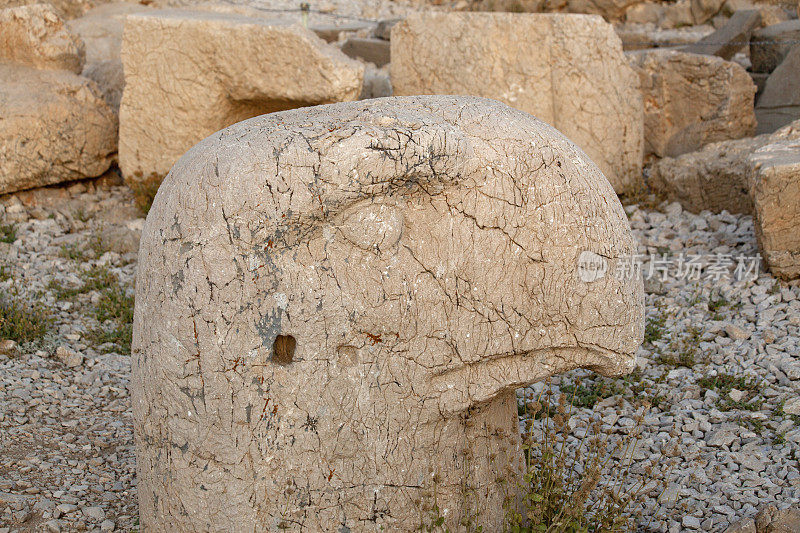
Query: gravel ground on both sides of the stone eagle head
720, 370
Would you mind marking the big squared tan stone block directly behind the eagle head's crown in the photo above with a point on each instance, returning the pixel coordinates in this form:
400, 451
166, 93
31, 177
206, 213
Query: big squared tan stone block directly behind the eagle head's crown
567, 70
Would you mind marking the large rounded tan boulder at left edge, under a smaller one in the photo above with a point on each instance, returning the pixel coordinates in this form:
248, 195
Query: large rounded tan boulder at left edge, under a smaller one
55, 127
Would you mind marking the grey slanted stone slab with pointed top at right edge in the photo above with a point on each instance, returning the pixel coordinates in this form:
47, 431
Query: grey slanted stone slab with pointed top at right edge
779, 103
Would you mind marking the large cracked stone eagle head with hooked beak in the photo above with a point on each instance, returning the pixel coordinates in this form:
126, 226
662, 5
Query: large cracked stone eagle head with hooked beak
422, 253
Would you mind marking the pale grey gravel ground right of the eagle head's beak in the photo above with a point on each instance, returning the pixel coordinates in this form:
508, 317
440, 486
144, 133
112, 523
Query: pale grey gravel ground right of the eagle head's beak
735, 457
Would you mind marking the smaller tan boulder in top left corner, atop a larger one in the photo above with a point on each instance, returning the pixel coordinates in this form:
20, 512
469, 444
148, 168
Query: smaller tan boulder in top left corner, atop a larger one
36, 36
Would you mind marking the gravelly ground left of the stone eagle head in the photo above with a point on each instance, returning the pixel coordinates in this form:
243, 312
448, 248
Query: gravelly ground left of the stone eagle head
66, 435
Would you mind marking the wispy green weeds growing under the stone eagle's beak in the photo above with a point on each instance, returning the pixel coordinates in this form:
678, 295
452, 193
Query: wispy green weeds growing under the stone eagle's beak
572, 490
